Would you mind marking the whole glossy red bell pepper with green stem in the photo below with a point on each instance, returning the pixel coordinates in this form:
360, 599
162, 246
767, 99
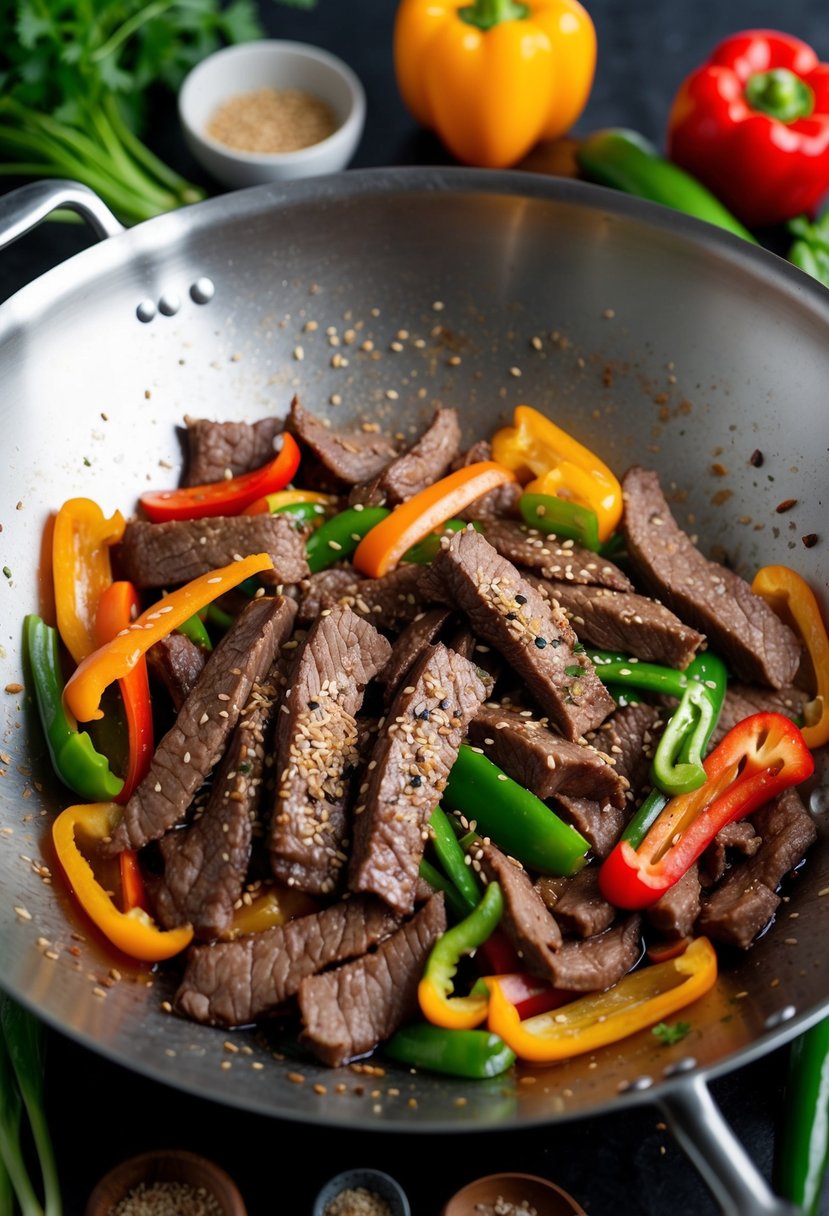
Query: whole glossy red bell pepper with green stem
753, 125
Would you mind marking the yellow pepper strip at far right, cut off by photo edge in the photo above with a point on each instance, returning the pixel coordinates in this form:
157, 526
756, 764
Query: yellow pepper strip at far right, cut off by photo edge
792, 599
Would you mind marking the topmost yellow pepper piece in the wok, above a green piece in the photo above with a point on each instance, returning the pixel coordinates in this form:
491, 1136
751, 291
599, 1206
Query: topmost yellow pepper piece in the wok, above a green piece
565, 469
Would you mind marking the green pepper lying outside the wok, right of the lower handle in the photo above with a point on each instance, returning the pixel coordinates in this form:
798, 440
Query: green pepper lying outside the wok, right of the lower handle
802, 1151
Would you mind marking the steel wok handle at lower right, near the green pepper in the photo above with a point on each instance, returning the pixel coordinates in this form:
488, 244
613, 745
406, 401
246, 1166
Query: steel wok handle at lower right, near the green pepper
732, 1176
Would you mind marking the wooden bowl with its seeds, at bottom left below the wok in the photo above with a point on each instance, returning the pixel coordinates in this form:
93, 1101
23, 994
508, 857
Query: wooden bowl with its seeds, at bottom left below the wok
171, 1176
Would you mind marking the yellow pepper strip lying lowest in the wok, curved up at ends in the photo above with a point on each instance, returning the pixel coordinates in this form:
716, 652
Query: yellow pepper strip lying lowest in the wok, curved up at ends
642, 999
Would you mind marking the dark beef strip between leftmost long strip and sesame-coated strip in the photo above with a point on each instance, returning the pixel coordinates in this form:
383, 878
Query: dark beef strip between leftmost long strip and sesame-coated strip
206, 864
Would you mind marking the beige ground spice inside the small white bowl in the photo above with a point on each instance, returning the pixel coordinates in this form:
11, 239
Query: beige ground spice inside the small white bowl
273, 121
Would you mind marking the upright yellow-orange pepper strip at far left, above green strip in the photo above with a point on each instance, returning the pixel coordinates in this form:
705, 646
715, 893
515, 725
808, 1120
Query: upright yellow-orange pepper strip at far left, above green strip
82, 570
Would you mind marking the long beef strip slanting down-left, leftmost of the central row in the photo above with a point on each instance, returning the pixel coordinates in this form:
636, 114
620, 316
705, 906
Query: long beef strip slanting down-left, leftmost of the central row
196, 741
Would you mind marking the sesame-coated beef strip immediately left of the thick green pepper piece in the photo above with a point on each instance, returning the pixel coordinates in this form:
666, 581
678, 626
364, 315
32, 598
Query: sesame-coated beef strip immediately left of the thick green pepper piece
408, 774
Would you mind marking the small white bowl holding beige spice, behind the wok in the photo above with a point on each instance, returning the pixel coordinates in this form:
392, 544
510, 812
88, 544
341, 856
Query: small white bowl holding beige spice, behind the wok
275, 87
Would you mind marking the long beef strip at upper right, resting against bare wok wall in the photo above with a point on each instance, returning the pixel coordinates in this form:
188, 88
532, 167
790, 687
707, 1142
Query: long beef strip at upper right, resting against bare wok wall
736, 622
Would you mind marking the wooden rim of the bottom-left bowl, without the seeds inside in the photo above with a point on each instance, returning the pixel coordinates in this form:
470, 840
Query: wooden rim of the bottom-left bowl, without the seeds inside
166, 1167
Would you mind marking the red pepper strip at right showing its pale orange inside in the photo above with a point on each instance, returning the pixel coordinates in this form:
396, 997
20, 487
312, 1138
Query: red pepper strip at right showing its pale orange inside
758, 759
